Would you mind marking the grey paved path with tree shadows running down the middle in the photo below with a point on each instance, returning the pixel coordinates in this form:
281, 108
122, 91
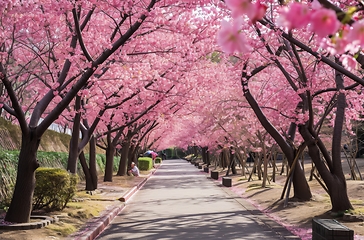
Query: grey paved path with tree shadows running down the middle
179, 202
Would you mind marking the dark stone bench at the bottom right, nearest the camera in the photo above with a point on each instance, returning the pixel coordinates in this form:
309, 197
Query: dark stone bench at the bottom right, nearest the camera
330, 229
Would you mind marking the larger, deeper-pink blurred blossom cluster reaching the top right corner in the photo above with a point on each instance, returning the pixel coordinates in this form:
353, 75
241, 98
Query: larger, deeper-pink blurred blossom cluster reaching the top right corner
324, 22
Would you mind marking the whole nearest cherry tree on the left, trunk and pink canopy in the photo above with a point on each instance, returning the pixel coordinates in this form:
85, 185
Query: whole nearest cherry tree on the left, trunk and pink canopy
64, 47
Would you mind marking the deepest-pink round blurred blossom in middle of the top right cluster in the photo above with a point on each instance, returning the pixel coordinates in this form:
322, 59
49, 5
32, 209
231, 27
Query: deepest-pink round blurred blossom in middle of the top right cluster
324, 22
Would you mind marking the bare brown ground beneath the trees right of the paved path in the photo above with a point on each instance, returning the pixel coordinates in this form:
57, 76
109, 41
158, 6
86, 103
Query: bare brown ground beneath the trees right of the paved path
295, 215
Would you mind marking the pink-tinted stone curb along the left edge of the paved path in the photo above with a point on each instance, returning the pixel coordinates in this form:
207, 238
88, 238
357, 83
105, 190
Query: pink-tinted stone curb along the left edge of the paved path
94, 227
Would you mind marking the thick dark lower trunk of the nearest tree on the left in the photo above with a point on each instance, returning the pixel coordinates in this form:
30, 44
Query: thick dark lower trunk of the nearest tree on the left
21, 203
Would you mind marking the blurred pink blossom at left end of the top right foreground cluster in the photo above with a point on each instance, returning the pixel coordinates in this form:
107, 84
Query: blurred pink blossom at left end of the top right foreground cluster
297, 15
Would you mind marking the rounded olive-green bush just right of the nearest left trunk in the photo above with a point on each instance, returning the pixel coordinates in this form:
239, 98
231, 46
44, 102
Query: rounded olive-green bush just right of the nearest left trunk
54, 188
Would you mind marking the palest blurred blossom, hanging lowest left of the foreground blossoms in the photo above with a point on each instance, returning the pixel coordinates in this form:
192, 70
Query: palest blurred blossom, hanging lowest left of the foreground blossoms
230, 39
